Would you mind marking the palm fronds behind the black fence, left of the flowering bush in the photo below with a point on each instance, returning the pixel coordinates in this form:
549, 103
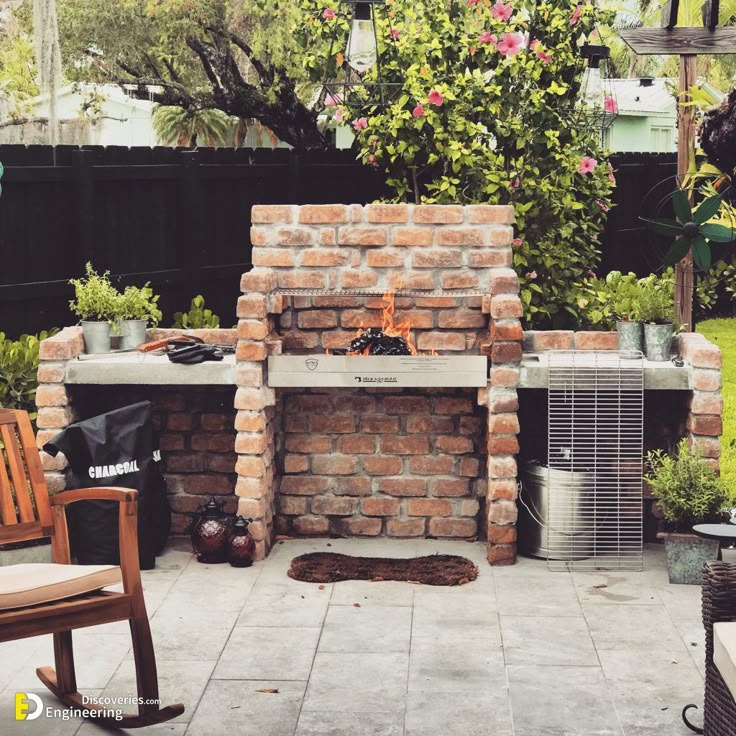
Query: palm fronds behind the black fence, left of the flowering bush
177, 126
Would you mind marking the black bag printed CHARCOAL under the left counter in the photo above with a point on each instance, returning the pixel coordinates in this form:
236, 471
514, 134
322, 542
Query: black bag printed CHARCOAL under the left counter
118, 449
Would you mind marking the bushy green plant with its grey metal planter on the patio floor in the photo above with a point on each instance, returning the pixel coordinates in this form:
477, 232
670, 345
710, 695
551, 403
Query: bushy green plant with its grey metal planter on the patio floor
688, 492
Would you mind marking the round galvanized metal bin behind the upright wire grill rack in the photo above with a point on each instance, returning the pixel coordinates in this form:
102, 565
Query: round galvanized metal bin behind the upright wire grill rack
558, 494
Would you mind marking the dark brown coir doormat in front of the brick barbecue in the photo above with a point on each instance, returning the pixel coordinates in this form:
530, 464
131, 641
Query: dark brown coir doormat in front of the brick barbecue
331, 567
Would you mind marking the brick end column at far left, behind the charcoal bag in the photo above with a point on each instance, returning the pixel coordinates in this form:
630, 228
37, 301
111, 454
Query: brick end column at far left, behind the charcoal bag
53, 400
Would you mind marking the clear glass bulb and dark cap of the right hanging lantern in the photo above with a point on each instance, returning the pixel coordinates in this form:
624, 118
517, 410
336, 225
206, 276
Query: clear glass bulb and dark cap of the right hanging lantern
595, 106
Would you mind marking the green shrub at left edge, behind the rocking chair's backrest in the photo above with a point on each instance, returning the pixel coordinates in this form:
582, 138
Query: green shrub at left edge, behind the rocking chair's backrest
18, 369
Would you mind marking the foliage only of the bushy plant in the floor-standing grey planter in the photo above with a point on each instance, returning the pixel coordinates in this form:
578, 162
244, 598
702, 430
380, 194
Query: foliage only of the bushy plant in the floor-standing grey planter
687, 489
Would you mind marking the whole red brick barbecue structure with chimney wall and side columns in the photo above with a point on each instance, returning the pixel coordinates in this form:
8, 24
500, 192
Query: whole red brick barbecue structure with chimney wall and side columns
405, 462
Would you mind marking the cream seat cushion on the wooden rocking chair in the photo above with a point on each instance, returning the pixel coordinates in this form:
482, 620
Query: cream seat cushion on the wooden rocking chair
33, 583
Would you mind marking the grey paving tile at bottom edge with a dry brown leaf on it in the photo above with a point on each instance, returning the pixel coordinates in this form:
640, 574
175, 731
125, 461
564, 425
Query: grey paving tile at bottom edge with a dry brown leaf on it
230, 707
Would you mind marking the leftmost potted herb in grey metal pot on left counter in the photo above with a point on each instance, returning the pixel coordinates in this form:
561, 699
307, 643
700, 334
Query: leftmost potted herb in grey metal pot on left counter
96, 304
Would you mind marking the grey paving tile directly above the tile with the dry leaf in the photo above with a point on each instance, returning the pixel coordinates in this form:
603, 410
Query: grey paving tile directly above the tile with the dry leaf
268, 653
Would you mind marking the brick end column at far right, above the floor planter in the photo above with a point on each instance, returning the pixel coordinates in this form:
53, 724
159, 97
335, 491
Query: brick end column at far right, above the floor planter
704, 422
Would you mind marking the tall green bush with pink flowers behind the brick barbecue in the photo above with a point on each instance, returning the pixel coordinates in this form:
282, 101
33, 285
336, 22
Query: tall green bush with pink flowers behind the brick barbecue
473, 122
